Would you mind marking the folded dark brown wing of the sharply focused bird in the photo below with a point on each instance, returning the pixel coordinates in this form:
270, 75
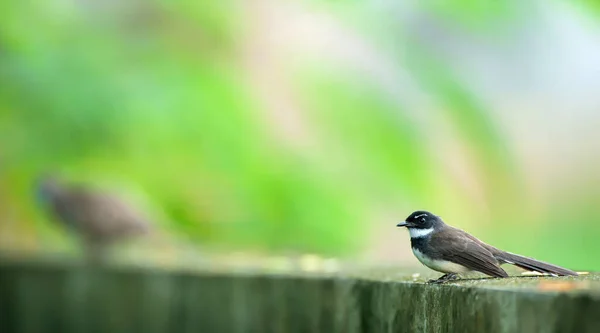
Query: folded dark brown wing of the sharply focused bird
461, 248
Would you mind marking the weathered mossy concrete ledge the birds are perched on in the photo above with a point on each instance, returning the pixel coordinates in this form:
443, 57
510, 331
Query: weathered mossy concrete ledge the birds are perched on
36, 297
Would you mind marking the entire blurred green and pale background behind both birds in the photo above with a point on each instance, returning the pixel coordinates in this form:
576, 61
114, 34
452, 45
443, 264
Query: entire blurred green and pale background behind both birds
310, 126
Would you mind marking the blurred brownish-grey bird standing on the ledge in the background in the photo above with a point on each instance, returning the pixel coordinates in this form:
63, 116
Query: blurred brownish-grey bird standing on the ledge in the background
98, 217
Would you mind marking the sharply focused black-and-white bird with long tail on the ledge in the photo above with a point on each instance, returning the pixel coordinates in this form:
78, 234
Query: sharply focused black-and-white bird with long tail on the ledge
452, 251
